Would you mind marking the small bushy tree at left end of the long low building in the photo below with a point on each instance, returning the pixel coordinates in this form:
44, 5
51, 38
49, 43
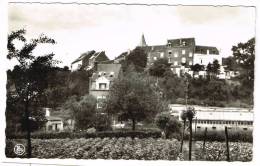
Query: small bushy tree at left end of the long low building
167, 123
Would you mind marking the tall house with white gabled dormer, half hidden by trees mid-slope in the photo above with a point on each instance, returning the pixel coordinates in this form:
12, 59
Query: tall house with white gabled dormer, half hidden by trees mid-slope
102, 79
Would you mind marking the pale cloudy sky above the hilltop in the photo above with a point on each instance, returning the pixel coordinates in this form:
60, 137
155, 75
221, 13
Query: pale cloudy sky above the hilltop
118, 28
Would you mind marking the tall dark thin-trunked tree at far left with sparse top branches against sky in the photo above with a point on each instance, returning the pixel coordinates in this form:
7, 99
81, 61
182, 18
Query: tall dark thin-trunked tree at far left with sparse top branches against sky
30, 75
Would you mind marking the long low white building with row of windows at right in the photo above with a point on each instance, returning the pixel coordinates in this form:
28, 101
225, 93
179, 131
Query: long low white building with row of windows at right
216, 118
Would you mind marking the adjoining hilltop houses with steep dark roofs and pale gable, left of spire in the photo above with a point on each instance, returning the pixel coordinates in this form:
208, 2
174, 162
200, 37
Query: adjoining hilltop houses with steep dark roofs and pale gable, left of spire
87, 60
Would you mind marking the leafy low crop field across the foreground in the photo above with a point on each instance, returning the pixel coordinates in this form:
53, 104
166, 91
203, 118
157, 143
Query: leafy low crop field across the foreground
130, 149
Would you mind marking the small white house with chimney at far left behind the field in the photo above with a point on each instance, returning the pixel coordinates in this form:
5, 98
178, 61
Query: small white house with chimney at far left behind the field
53, 123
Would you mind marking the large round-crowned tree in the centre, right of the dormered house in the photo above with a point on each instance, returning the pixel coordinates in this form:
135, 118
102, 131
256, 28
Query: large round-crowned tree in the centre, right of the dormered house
131, 97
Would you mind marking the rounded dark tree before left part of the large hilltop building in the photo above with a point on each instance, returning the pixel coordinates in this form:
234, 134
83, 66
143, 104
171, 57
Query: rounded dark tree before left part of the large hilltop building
159, 67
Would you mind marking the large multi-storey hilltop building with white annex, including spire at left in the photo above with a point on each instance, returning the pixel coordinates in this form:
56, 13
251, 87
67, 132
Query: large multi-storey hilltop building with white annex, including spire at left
181, 53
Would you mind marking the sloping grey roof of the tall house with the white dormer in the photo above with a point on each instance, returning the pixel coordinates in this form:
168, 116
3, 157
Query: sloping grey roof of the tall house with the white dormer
105, 69
